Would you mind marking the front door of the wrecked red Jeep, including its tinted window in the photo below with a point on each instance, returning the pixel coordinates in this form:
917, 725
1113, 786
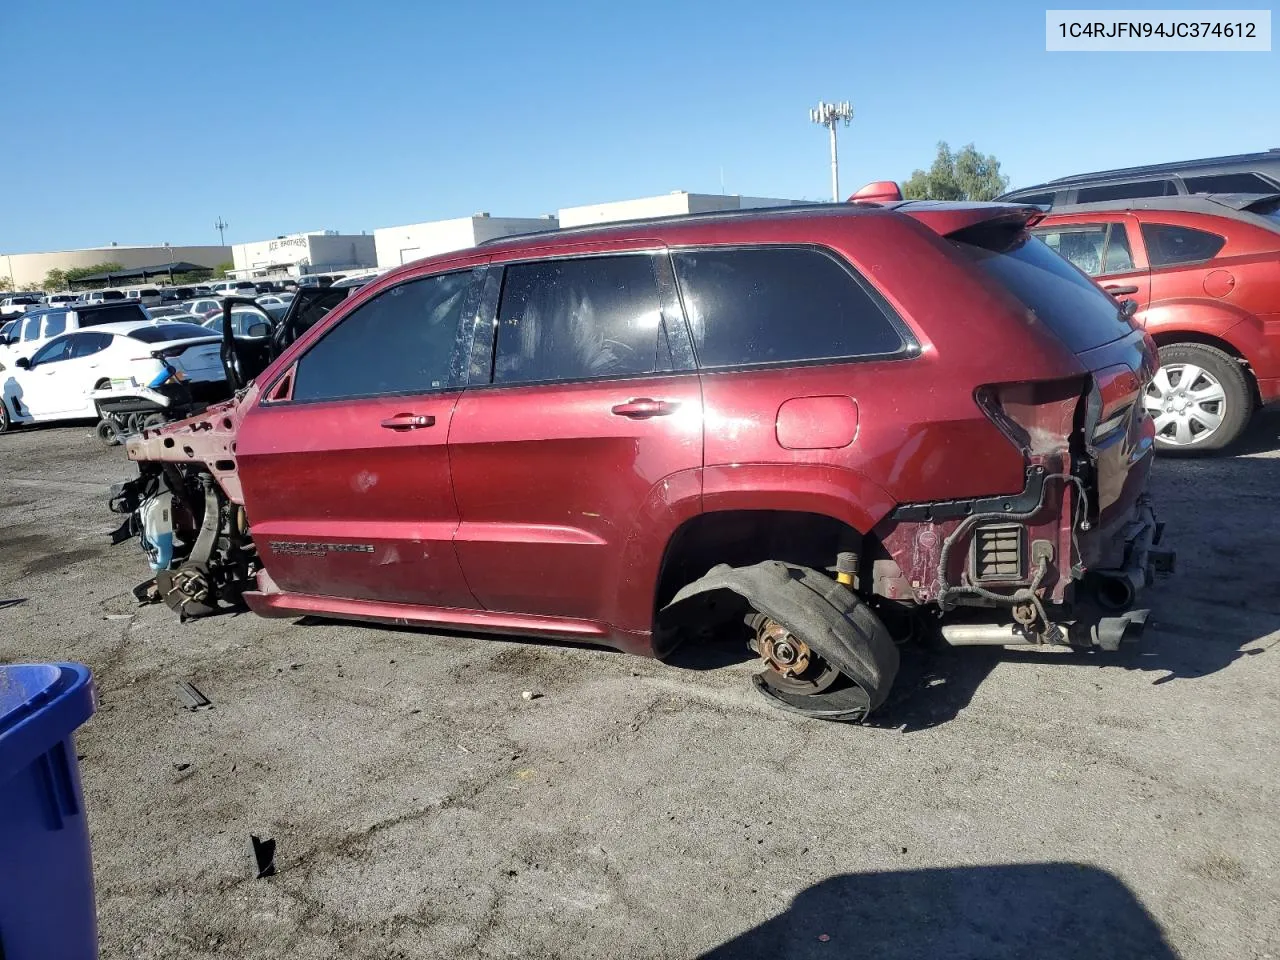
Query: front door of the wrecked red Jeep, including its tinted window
344, 460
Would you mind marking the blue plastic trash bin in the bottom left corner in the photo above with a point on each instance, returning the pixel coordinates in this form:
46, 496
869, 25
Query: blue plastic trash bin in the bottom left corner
47, 879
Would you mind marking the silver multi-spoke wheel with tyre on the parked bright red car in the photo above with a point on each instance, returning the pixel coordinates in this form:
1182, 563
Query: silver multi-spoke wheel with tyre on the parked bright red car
1200, 399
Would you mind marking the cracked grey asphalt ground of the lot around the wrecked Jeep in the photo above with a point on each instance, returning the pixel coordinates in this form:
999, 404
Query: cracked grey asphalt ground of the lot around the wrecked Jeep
1005, 804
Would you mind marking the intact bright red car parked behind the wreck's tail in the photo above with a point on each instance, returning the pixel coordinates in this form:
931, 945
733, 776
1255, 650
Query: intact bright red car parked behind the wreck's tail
1205, 275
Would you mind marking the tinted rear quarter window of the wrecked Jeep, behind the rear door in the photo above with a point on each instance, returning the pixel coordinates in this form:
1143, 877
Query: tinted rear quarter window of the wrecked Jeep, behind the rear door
779, 305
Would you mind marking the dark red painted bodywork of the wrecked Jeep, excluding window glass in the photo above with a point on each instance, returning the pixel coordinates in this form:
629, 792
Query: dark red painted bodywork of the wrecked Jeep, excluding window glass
551, 509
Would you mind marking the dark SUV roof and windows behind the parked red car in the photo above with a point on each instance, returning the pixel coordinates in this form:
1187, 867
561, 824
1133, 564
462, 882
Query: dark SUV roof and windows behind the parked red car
1244, 173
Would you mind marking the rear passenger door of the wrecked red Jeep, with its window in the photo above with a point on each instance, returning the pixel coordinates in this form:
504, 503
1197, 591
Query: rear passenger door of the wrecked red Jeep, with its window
584, 452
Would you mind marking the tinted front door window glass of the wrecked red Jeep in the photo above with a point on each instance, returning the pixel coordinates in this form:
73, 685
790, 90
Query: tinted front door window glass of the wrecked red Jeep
399, 342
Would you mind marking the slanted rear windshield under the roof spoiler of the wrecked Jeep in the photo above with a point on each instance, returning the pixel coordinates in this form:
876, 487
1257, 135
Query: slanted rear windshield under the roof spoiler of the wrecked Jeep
1054, 294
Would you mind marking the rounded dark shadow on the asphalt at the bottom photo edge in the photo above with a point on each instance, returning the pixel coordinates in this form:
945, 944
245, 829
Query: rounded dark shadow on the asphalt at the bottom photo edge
1049, 912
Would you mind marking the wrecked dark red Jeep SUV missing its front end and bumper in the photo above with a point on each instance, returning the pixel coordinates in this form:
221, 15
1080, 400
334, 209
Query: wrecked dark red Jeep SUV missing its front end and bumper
829, 428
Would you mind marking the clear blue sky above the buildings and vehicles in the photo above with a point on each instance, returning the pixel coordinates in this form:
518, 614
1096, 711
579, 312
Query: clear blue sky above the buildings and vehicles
286, 116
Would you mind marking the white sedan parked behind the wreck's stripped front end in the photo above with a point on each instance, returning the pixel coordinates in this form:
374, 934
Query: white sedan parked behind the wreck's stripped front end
57, 383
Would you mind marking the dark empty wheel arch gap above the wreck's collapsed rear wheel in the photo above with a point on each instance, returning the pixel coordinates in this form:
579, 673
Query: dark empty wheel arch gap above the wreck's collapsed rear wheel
744, 538
